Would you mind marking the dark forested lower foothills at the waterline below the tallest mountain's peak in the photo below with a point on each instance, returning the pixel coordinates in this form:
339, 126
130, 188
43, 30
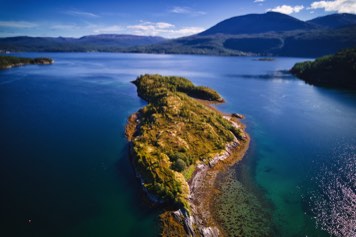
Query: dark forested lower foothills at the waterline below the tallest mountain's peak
298, 43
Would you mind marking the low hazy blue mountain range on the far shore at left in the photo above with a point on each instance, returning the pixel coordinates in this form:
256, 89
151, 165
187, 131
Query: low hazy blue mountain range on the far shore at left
103, 42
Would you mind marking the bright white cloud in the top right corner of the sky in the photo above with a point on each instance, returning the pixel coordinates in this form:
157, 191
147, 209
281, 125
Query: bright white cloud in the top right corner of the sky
340, 6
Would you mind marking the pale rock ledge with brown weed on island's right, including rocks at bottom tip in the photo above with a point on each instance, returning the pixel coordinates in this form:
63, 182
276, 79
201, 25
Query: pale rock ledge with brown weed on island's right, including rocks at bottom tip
202, 190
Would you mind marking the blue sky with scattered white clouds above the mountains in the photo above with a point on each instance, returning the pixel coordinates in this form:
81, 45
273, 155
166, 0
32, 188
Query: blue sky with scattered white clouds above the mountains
166, 18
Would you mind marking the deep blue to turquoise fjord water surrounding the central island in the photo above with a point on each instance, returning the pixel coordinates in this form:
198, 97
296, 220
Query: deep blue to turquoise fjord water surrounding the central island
65, 171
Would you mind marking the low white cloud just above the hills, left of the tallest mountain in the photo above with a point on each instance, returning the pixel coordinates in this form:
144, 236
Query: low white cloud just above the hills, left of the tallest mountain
162, 29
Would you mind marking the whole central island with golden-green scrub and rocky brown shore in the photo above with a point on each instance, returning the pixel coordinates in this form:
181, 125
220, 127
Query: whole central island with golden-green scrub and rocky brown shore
178, 144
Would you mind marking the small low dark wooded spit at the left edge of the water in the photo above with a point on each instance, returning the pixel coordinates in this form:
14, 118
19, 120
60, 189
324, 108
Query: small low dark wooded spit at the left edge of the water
12, 61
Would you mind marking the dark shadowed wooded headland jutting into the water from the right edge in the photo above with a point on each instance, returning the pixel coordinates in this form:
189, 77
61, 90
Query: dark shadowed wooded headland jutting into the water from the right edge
338, 70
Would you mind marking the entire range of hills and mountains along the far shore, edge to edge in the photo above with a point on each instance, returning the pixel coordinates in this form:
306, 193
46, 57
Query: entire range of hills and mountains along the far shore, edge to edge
267, 34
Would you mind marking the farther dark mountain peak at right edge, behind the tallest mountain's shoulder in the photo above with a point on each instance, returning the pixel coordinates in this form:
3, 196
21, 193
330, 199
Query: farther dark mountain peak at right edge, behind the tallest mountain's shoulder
334, 20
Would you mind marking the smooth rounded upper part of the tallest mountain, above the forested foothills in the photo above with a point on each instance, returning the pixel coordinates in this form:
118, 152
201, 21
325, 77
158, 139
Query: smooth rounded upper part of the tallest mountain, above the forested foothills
258, 23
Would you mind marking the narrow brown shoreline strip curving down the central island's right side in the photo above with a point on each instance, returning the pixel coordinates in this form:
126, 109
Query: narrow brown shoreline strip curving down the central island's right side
202, 184
